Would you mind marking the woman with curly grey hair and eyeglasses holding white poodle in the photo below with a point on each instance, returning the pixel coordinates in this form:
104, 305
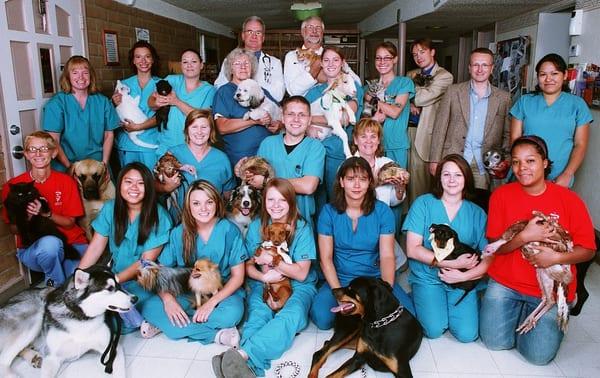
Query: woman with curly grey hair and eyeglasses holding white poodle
242, 137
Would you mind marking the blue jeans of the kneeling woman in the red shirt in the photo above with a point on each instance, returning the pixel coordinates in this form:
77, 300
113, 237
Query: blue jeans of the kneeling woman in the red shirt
503, 310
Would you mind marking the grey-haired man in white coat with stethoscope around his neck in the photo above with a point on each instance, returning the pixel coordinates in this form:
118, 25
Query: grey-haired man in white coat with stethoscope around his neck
269, 73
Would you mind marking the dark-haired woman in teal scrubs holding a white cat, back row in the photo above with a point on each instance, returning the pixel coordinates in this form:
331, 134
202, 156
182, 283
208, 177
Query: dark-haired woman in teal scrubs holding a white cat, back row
143, 60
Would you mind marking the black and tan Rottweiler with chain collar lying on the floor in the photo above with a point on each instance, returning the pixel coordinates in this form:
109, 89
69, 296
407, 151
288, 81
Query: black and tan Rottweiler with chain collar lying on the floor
387, 336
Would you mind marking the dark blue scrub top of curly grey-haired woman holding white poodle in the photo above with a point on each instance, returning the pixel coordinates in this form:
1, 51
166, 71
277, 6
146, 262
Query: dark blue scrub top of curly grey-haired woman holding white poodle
245, 142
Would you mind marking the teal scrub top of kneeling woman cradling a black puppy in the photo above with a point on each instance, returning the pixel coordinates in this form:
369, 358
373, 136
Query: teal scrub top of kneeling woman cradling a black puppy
469, 223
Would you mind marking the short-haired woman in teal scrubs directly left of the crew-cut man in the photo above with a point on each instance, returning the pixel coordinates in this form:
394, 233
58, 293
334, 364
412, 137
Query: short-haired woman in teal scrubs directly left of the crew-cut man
200, 158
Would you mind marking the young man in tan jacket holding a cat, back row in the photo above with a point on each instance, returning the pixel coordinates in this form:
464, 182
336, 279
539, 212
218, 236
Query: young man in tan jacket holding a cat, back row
431, 82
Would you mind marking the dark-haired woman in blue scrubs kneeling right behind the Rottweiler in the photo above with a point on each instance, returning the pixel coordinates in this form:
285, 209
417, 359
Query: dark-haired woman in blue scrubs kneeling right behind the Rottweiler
356, 238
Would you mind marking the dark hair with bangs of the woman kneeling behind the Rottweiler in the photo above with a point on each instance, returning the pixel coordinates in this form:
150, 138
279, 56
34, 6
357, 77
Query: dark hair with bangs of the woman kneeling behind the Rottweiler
354, 165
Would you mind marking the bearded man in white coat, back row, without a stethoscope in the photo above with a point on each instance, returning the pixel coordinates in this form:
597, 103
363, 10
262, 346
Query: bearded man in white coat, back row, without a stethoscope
302, 74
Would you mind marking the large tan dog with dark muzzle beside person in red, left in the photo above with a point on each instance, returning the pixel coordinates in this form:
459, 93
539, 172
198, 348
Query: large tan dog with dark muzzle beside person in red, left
95, 187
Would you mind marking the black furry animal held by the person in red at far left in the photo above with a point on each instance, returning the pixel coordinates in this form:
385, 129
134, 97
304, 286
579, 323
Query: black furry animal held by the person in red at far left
30, 230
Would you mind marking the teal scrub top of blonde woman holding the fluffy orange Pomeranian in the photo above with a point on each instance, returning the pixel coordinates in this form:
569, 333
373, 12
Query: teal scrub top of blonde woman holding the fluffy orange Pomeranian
225, 247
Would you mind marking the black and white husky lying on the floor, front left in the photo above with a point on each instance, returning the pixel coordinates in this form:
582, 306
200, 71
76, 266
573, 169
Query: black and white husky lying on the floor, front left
66, 323
